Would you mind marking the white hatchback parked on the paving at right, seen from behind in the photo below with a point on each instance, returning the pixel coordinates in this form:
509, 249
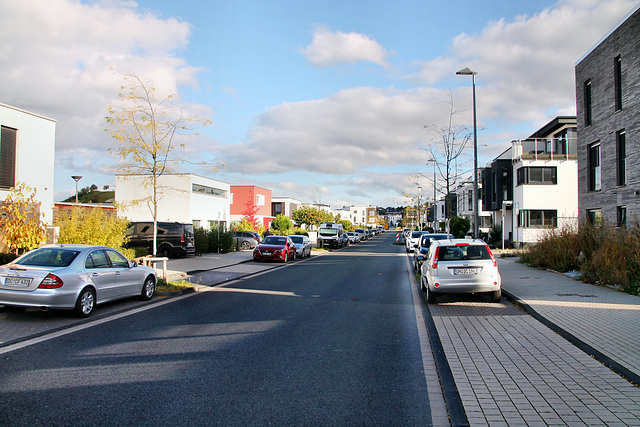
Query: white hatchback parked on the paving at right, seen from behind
460, 266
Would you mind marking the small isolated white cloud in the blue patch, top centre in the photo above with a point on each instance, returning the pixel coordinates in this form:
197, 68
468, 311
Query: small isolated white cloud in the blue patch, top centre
331, 48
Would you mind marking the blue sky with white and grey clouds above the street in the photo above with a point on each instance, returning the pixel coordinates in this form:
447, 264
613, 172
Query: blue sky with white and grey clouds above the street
333, 102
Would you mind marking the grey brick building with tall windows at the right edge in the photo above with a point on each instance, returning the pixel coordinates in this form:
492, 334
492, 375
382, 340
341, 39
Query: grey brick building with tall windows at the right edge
608, 112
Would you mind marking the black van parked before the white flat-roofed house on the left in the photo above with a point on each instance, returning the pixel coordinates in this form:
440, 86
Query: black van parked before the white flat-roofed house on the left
173, 238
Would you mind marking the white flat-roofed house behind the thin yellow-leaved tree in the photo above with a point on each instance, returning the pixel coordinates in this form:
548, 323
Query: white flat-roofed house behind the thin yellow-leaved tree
187, 198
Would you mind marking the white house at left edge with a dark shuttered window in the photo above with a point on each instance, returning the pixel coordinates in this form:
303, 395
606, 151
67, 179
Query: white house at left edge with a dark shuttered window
27, 150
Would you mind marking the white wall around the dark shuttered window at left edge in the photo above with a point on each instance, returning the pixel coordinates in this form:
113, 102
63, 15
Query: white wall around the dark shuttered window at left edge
35, 151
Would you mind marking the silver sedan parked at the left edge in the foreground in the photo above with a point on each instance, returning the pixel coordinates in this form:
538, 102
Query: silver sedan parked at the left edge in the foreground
73, 277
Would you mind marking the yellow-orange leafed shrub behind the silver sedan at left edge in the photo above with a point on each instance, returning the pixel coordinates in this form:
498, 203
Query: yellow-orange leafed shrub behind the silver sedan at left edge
20, 220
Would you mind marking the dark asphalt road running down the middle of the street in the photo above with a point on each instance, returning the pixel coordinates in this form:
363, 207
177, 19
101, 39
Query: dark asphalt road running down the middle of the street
332, 340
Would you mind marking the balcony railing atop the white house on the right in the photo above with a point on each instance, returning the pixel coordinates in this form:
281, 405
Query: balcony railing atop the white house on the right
545, 149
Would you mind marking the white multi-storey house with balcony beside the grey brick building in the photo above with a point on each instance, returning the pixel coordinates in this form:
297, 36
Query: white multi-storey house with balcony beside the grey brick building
532, 187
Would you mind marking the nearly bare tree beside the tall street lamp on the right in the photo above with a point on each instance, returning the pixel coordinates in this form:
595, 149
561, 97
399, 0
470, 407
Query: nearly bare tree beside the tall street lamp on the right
447, 145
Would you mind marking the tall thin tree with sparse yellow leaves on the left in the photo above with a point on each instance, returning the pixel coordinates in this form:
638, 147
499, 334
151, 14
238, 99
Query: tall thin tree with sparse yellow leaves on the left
149, 135
